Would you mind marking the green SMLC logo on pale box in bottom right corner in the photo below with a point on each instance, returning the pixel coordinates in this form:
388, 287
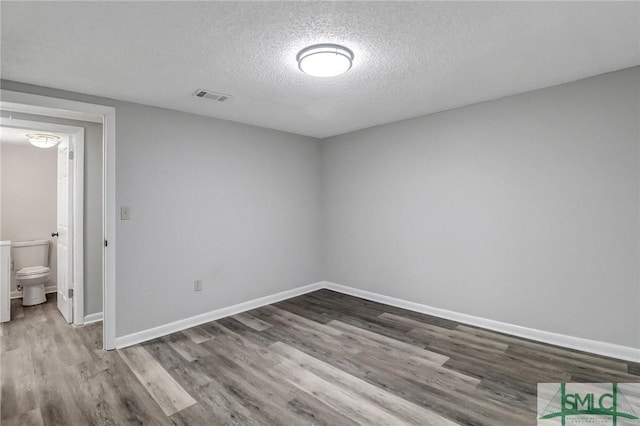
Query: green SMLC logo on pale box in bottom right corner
586, 400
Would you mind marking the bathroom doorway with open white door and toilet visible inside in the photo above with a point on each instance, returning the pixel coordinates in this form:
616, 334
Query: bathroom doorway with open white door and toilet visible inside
43, 212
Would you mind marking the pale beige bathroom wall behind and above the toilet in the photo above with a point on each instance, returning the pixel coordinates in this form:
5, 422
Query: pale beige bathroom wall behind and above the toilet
28, 179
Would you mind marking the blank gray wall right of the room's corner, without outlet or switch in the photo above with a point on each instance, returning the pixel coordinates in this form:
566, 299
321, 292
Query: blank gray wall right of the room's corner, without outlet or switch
523, 210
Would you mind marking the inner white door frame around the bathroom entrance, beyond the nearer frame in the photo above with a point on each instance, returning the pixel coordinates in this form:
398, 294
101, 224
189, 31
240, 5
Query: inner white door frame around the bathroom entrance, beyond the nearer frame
76, 144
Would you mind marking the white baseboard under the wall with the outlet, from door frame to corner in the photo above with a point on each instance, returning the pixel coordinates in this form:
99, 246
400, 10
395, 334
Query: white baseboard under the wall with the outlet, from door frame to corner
163, 330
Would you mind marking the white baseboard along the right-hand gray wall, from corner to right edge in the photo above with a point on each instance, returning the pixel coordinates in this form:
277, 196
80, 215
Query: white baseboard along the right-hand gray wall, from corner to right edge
578, 343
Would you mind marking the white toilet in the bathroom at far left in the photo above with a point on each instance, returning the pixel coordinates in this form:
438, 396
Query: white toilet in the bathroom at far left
31, 263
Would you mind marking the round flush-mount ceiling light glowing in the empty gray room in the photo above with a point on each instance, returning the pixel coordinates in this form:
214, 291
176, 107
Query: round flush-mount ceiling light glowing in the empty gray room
325, 60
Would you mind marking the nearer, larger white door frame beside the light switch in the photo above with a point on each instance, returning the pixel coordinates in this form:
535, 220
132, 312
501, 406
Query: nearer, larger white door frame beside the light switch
55, 107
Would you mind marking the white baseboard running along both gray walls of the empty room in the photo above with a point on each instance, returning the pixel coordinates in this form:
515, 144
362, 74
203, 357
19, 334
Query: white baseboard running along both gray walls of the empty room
578, 343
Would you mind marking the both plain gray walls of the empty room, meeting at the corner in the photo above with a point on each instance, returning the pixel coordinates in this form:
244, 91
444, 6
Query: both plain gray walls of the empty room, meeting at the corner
523, 210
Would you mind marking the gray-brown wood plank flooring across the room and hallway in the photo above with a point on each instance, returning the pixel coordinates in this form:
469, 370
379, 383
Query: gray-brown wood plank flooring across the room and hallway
319, 359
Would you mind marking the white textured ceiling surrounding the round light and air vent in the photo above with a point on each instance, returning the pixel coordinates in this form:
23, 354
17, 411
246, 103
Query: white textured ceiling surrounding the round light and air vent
411, 58
